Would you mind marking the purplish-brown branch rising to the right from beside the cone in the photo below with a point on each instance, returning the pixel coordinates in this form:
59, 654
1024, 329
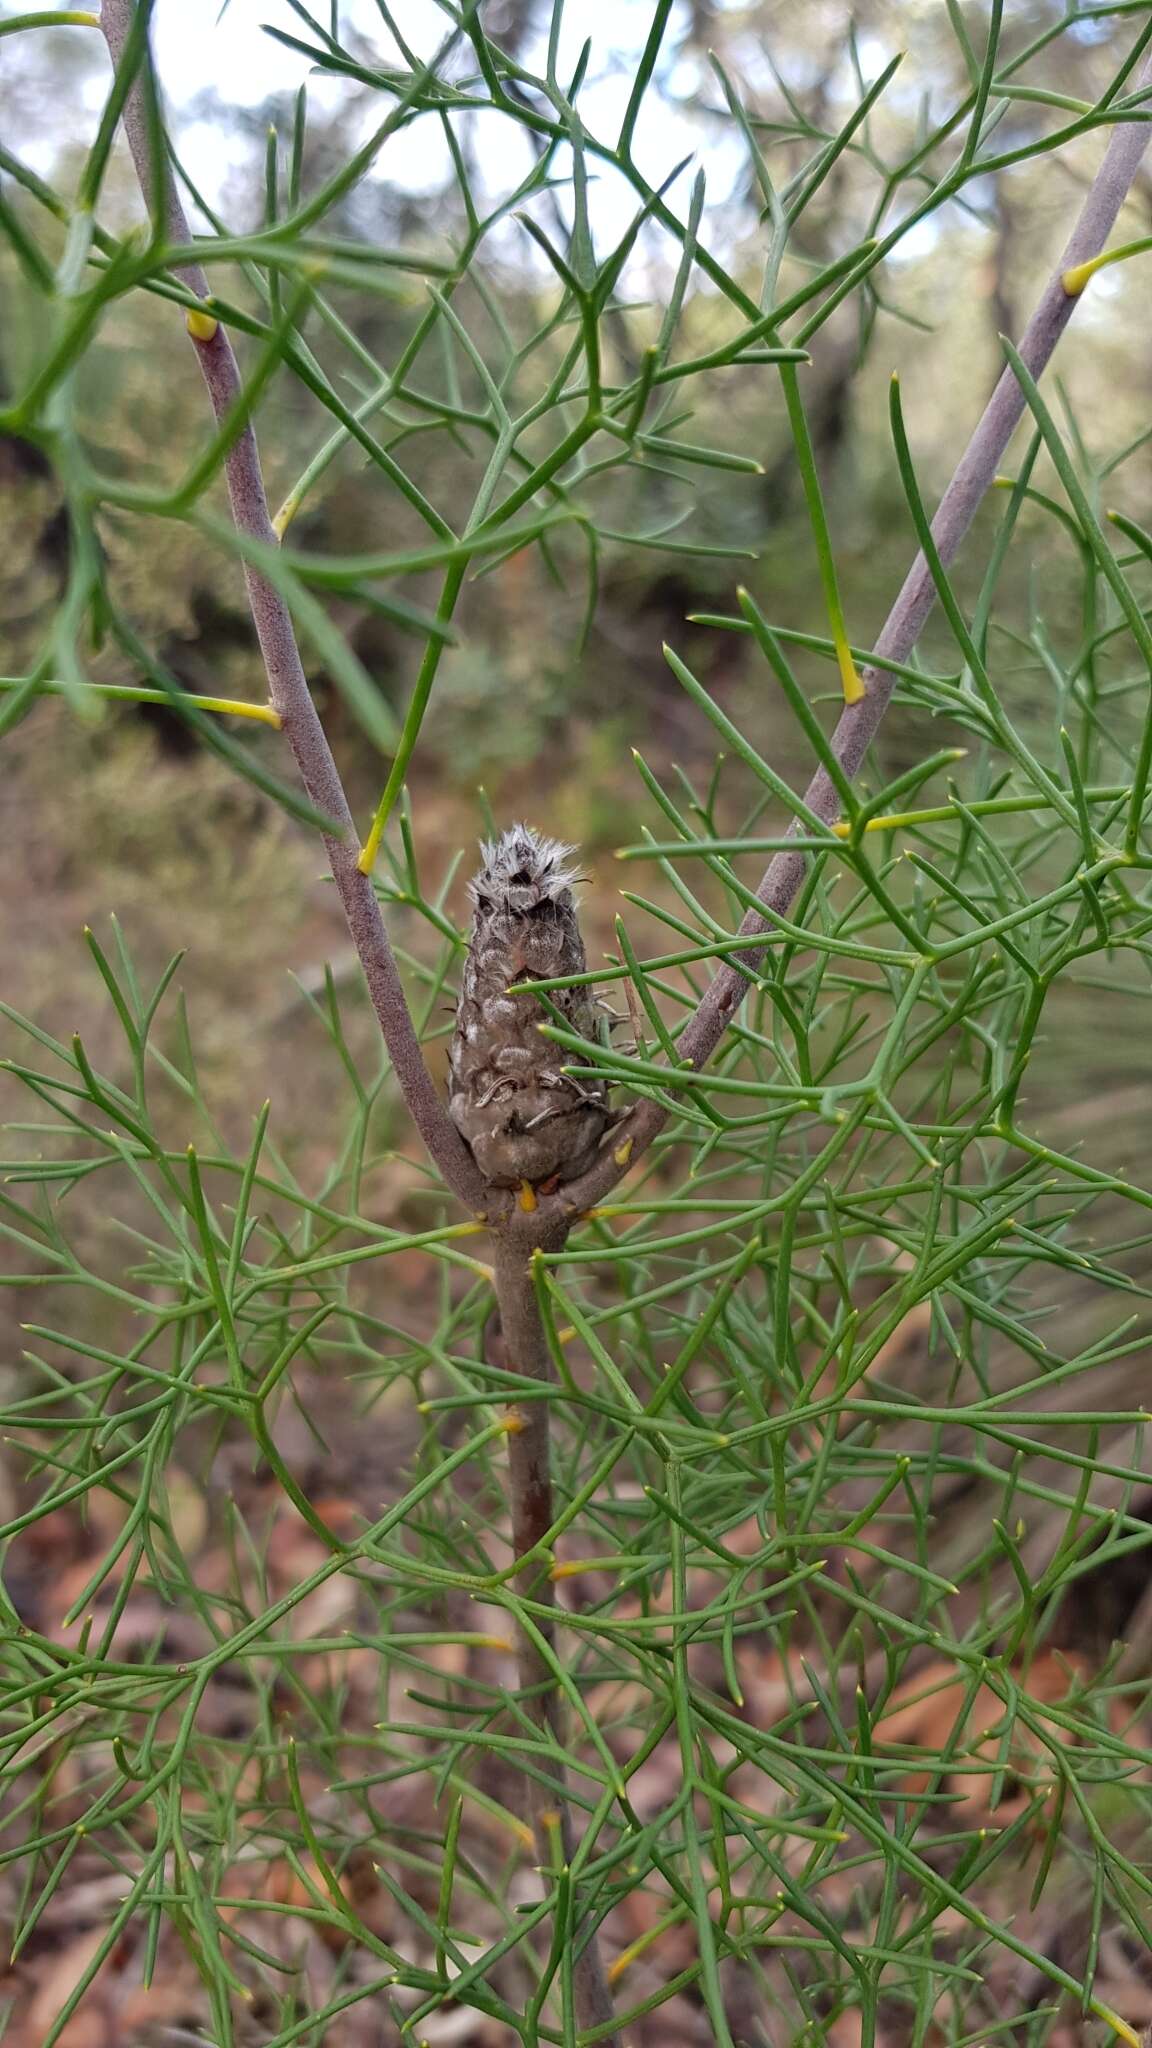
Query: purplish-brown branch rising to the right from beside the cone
905, 624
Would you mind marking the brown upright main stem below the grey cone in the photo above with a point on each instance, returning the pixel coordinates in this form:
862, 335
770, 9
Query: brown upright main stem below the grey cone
530, 1488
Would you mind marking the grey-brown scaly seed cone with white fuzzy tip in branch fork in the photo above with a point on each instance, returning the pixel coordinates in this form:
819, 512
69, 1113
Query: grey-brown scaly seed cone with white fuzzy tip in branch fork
509, 1099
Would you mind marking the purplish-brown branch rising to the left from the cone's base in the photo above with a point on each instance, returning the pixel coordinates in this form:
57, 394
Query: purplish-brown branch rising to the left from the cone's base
288, 687
